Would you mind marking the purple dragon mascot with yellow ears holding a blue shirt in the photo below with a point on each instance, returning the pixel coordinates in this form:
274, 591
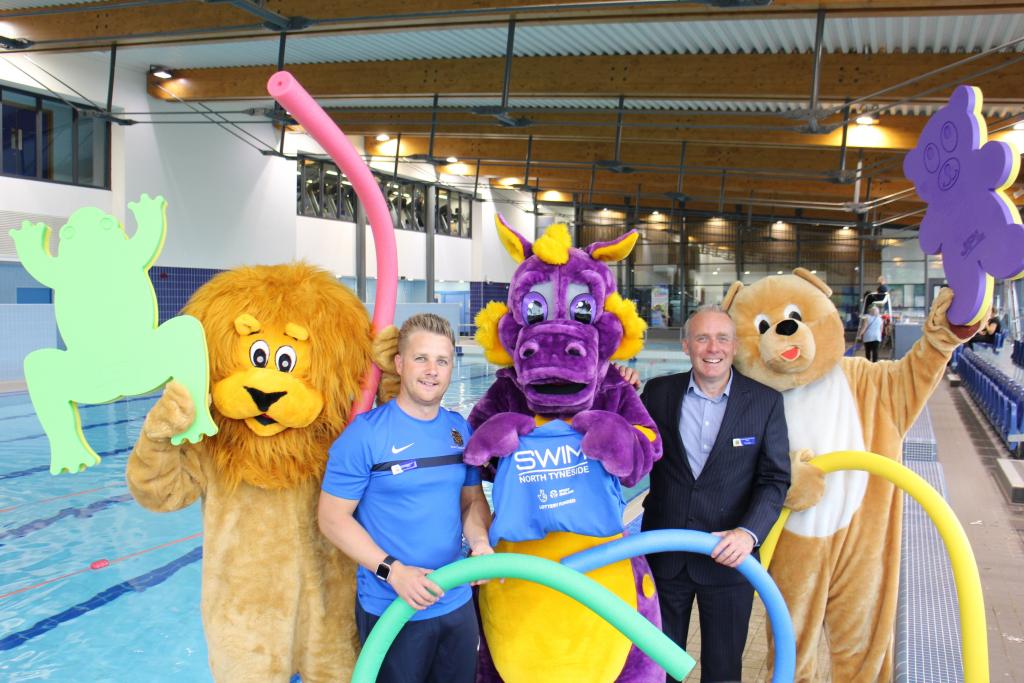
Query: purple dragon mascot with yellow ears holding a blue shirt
558, 487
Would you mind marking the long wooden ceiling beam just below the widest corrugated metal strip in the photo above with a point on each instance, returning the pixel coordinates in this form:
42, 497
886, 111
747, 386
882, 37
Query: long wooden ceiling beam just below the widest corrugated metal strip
782, 77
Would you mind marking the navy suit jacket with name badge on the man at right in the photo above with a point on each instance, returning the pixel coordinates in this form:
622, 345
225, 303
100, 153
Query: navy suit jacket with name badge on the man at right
741, 486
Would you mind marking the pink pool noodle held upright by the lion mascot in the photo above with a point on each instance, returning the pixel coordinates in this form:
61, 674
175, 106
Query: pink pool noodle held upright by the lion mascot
290, 94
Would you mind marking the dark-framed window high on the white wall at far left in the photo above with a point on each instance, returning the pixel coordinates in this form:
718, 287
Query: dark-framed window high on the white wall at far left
50, 140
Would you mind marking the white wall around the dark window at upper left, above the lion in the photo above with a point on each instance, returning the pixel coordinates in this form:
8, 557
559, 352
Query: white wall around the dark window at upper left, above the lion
228, 204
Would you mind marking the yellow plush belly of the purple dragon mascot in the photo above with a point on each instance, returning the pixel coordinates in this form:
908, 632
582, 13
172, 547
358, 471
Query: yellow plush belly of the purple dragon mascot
534, 632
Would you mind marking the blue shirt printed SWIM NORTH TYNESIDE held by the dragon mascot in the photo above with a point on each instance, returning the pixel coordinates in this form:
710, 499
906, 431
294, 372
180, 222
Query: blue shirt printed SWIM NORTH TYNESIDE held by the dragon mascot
547, 485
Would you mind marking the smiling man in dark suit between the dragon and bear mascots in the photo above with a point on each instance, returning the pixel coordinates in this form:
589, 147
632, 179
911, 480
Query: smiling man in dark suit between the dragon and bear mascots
726, 471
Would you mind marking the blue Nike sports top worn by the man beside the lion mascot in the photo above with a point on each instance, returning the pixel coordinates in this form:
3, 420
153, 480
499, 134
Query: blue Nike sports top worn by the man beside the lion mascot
412, 513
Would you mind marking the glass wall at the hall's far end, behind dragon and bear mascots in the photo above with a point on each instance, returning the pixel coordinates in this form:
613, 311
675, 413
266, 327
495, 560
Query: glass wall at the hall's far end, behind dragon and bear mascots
692, 260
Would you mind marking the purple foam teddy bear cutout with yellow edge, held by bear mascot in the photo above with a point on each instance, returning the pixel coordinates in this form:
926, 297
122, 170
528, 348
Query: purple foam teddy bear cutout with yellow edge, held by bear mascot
969, 220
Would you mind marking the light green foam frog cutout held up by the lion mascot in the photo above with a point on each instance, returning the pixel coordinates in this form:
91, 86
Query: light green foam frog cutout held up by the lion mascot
107, 313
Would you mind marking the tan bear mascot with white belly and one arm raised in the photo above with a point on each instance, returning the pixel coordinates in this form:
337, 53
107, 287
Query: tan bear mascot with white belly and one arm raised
837, 562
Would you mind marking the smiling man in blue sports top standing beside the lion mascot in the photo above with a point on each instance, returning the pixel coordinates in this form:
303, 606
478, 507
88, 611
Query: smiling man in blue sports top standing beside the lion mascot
398, 499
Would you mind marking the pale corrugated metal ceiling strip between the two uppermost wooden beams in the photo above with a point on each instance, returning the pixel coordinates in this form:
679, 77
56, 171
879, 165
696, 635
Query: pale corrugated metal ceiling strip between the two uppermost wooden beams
894, 34
